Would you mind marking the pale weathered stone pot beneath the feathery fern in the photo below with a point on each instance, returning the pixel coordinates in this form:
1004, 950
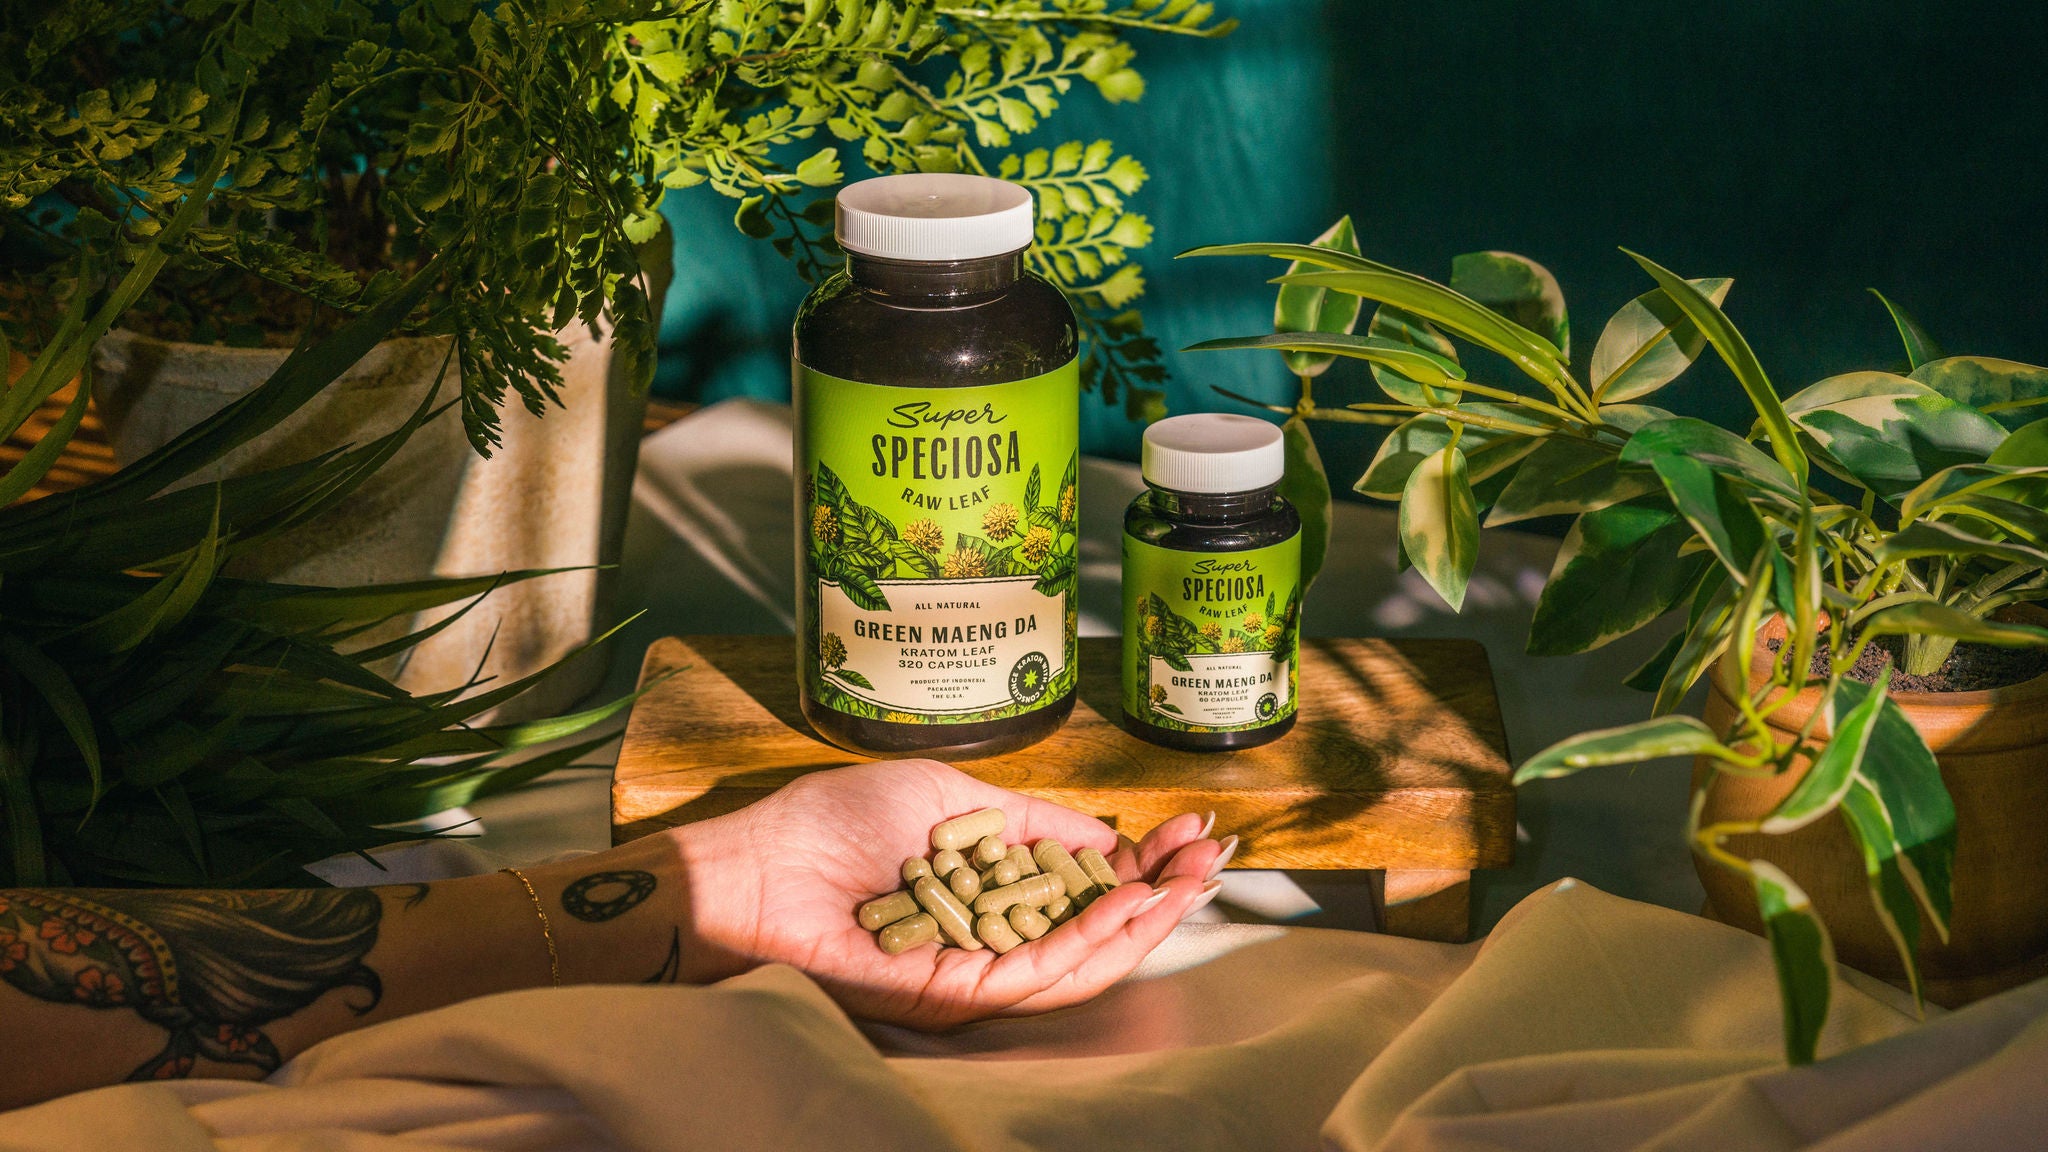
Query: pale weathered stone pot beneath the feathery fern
554, 495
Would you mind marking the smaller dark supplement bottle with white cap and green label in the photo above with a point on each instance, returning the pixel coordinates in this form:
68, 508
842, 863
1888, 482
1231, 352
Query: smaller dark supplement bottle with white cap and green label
1211, 587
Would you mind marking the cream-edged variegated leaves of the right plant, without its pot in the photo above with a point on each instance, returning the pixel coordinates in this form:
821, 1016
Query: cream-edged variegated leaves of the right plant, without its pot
1928, 516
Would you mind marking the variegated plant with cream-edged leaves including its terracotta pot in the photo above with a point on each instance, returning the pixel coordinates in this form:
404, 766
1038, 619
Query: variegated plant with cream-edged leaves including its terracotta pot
1850, 569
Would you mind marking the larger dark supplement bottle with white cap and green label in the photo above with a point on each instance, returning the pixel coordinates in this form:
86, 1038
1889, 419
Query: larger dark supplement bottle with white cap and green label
937, 477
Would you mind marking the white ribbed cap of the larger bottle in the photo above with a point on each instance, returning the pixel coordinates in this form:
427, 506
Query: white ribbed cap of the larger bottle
935, 216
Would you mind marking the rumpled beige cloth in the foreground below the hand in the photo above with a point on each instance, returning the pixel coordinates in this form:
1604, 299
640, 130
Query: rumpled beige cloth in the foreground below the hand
1582, 1024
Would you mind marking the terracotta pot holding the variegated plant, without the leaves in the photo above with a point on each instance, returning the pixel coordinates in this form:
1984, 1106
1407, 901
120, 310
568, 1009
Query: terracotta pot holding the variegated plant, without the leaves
1994, 753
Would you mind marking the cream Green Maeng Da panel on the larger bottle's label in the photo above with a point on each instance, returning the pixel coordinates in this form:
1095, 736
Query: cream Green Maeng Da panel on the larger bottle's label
947, 647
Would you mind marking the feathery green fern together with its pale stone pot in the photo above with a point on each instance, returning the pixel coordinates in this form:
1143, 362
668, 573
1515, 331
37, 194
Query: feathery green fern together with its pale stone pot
372, 140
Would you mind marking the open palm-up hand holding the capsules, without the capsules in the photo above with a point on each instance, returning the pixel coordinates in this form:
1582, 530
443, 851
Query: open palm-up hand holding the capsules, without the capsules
779, 882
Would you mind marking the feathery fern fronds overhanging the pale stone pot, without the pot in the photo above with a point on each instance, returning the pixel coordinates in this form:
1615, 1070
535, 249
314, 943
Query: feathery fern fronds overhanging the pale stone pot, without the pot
374, 136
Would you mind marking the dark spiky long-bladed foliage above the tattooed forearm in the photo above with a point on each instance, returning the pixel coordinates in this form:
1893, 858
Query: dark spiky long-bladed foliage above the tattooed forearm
165, 725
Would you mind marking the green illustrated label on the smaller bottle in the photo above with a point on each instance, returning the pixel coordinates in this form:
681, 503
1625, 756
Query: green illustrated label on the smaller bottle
1211, 636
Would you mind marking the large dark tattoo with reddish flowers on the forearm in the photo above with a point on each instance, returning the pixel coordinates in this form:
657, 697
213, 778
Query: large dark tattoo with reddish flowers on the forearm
210, 969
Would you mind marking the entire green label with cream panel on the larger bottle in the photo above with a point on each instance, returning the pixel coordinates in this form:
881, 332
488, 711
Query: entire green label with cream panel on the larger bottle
939, 546
